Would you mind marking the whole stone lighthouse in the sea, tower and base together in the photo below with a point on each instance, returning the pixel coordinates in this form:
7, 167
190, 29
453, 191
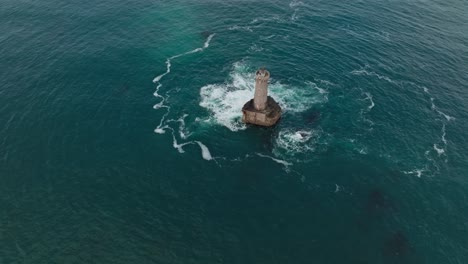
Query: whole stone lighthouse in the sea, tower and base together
262, 110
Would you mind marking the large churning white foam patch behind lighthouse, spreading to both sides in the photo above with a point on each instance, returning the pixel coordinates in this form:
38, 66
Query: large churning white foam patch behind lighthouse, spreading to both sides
224, 101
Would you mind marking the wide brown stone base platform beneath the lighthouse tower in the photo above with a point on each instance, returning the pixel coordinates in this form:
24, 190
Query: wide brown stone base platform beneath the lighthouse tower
267, 117
